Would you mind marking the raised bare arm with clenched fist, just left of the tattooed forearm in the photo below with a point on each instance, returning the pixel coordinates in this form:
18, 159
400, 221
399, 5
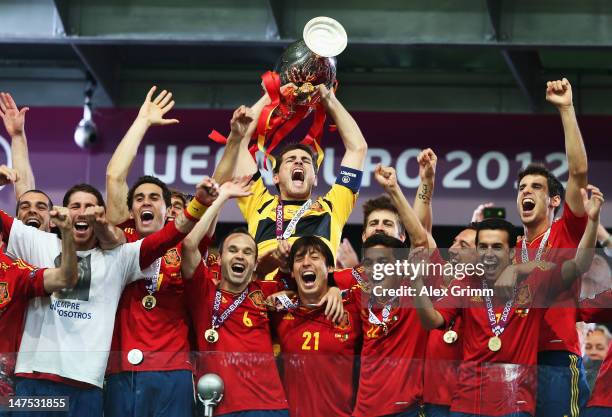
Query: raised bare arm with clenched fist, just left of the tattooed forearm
386, 177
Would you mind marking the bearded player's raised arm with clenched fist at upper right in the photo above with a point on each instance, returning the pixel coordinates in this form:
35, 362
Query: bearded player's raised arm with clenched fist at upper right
559, 93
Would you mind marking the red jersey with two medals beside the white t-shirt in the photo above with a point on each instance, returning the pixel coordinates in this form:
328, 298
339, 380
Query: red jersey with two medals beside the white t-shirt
161, 333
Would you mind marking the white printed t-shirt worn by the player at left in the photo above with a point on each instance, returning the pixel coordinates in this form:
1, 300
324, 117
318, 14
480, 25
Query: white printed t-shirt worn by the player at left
69, 334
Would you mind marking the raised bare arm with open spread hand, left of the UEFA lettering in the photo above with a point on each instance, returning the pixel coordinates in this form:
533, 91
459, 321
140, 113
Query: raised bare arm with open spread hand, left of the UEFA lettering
151, 114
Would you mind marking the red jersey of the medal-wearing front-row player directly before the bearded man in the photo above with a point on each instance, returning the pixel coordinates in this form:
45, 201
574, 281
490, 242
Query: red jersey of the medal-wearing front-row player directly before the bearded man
502, 382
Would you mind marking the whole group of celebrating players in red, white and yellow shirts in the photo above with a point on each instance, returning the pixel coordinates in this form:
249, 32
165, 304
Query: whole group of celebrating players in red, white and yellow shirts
117, 304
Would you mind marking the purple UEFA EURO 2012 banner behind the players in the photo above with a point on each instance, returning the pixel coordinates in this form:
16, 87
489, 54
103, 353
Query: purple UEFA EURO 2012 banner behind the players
478, 154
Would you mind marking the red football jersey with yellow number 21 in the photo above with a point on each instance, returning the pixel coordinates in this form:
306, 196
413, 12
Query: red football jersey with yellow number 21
318, 360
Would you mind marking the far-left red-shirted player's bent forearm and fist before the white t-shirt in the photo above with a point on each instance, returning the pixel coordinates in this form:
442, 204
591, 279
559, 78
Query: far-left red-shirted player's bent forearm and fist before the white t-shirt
66, 276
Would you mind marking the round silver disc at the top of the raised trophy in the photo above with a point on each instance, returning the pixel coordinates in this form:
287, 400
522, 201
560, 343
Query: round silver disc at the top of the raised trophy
325, 36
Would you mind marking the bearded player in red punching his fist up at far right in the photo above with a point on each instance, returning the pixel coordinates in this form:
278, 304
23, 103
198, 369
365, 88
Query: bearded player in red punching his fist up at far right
562, 387
